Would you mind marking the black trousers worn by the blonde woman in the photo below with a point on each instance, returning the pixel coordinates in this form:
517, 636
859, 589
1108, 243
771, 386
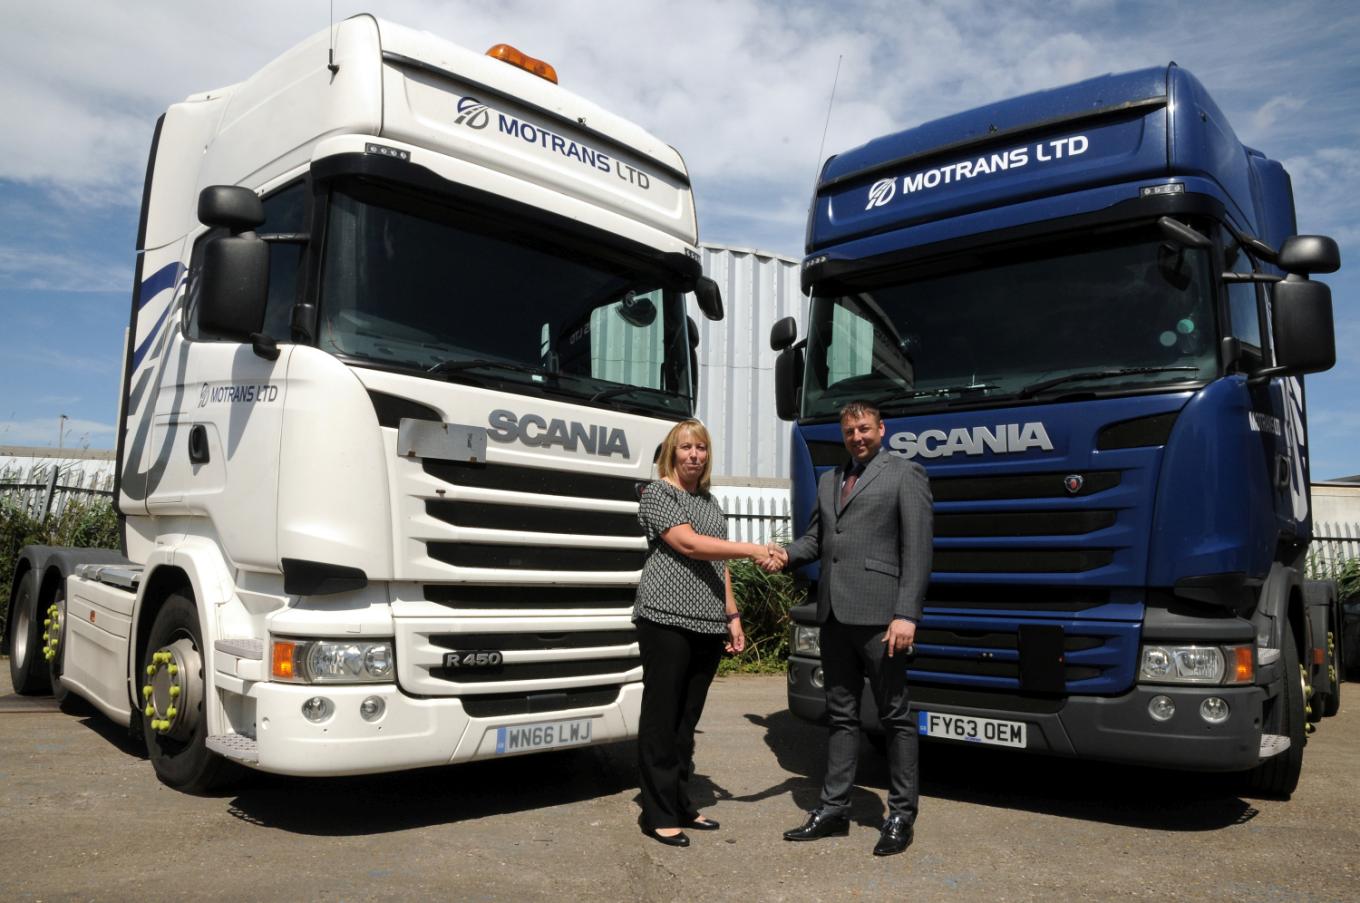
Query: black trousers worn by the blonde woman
678, 667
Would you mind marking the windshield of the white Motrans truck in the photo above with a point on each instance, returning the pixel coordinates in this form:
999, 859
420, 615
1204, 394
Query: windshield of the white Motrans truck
471, 299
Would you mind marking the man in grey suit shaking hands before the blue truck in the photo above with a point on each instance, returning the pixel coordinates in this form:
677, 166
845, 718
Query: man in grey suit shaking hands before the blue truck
871, 531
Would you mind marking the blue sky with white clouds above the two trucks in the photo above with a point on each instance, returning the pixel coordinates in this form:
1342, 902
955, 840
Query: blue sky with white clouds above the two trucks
742, 88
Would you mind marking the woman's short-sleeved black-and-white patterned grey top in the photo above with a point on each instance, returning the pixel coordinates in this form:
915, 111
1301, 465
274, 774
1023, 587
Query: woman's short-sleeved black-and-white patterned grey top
679, 591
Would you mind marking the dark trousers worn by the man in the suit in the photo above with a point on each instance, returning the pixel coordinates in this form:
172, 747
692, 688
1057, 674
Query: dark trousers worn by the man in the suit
851, 655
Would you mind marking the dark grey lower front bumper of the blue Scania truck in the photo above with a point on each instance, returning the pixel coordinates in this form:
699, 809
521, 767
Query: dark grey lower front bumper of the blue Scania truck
1101, 728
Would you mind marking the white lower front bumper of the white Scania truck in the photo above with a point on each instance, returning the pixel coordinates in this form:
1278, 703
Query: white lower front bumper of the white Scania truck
413, 732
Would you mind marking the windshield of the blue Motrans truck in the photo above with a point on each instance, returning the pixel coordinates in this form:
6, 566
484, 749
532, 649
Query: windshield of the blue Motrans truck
1115, 313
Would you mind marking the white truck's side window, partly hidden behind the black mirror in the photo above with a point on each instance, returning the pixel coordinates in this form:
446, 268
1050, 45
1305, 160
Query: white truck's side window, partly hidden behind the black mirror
285, 214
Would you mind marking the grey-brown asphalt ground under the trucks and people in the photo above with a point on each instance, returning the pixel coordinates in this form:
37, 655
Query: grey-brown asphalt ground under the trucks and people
82, 817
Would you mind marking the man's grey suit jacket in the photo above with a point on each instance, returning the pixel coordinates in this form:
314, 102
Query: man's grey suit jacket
875, 551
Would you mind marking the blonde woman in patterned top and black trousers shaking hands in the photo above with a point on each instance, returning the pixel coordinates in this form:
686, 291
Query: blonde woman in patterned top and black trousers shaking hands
686, 617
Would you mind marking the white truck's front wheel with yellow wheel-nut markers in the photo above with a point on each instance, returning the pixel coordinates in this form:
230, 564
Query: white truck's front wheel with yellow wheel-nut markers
173, 696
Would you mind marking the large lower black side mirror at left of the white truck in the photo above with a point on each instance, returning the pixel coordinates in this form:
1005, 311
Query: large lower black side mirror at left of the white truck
235, 286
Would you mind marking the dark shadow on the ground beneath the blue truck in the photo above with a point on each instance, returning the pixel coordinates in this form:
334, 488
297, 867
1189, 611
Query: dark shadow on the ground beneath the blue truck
1093, 791
